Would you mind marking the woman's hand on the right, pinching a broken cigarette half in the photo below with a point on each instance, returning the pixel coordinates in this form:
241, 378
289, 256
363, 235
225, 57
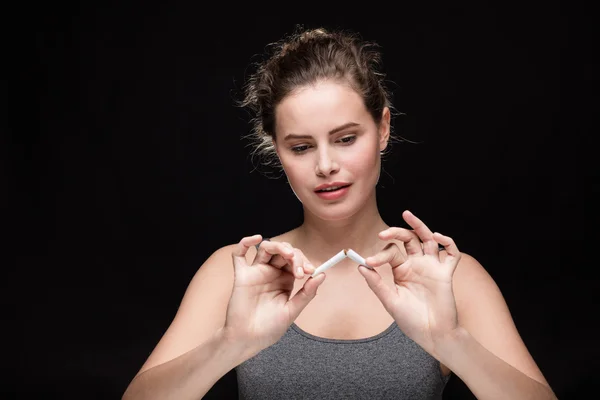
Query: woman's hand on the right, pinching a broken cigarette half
422, 302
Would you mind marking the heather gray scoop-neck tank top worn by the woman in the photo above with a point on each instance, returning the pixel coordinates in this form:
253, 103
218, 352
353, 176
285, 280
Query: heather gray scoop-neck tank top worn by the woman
389, 365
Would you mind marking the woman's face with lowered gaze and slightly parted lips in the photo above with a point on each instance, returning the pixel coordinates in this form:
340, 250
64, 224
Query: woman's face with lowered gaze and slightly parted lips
325, 135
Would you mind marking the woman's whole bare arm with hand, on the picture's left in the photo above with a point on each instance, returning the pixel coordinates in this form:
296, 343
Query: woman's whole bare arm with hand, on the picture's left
226, 317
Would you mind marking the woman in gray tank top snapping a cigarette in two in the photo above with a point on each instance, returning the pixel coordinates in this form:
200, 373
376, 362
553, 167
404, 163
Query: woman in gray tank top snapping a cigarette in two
394, 330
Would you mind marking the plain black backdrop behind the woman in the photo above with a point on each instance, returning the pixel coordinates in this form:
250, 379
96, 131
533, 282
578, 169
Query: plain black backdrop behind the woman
126, 171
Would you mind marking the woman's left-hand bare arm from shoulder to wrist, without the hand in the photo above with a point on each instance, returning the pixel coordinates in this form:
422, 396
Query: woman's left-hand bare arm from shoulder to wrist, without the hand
194, 352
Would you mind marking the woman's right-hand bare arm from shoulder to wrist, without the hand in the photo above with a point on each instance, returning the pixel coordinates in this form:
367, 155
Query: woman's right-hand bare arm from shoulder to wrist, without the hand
487, 352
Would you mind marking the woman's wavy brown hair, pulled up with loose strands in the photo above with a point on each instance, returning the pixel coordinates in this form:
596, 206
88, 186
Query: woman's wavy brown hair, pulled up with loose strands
304, 58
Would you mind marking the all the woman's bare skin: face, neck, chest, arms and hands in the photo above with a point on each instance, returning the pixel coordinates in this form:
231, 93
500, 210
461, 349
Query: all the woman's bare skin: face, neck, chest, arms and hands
444, 300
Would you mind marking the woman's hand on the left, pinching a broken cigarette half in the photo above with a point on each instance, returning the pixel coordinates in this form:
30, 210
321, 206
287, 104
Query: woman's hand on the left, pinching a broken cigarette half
260, 309
